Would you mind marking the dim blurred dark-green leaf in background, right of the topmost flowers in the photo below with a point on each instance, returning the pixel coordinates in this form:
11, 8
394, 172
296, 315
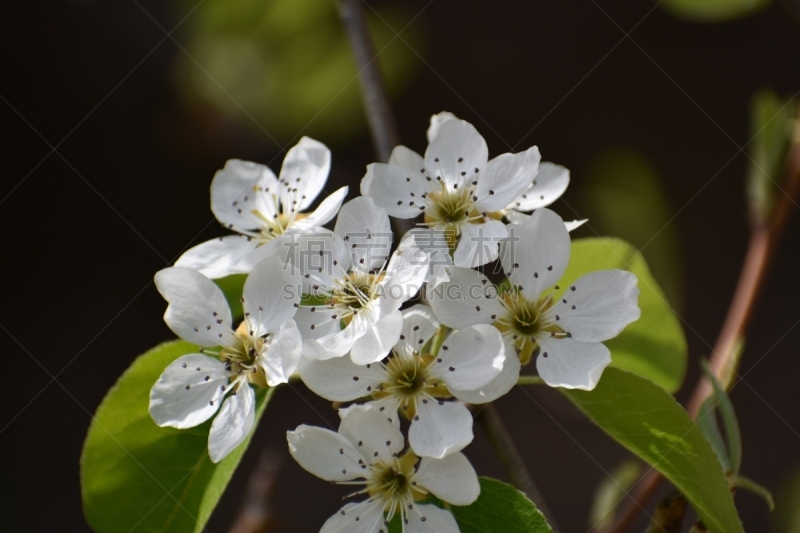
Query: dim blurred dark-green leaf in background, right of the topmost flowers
625, 198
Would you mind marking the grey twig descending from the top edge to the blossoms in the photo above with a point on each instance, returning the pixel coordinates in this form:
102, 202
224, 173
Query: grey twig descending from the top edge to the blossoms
382, 124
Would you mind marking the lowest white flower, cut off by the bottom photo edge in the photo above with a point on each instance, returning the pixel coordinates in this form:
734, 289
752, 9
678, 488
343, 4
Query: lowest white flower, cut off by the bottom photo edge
368, 451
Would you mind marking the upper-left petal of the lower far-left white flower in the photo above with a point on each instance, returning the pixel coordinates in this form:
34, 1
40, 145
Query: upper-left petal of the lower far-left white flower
197, 311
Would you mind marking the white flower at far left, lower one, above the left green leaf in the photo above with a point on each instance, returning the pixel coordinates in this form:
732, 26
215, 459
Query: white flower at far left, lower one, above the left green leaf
264, 350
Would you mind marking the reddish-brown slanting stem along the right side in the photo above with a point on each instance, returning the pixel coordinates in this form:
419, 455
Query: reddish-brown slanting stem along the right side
765, 235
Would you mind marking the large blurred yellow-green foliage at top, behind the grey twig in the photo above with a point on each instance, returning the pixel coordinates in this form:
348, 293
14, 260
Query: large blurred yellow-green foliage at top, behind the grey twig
287, 65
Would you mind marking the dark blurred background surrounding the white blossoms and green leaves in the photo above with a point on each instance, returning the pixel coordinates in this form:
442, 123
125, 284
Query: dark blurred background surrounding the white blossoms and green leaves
113, 130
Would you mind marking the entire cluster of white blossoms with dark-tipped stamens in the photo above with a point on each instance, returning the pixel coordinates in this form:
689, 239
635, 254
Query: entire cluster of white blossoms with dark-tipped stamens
328, 306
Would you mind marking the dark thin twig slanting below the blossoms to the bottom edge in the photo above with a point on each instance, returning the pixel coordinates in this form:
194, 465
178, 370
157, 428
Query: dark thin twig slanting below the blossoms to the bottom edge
506, 451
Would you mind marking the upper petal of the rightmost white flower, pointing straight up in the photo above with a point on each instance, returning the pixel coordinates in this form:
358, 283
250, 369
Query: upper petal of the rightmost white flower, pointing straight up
536, 253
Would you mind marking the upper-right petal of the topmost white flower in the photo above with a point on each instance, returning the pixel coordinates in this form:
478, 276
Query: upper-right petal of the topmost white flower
505, 178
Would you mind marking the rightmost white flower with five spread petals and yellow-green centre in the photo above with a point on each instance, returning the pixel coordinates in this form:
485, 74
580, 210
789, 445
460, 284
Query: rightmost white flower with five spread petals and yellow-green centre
566, 329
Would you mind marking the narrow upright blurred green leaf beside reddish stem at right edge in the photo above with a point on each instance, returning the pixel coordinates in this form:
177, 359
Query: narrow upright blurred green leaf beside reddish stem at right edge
772, 126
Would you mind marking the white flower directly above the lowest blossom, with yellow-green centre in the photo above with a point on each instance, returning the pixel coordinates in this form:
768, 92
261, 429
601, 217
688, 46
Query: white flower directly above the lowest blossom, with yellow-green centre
416, 383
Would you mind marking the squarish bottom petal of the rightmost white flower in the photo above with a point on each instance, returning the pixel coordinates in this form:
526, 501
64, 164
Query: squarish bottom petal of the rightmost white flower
570, 363
